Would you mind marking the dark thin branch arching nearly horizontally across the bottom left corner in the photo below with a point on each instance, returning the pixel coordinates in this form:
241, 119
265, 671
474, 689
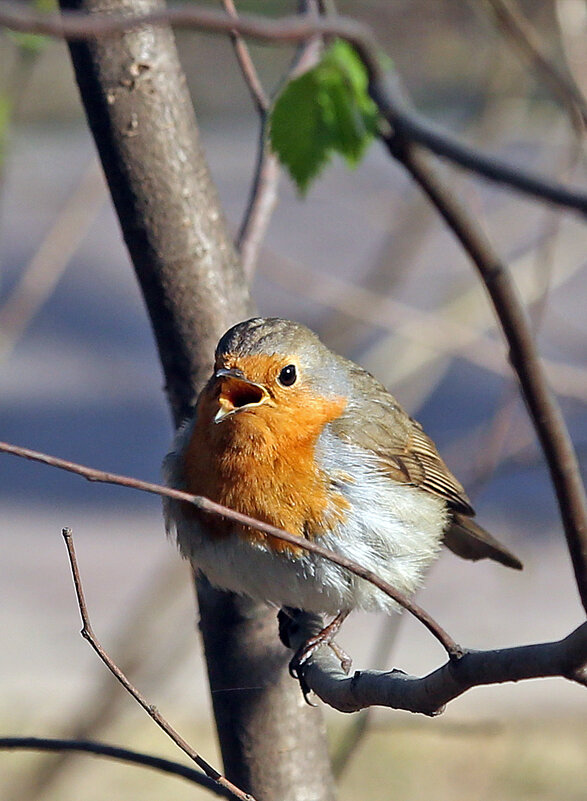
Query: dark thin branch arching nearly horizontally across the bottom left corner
114, 752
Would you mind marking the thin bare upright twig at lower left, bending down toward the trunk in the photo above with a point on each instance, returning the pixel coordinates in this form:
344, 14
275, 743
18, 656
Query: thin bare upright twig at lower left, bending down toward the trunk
150, 709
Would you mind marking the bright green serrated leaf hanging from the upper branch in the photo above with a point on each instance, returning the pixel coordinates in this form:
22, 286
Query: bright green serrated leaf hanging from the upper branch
326, 110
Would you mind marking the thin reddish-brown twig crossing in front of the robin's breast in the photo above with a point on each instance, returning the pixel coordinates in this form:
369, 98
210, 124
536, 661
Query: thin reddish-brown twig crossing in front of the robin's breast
210, 507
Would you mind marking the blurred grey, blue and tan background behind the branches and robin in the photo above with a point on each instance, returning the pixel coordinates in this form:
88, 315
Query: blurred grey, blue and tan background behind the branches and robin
365, 262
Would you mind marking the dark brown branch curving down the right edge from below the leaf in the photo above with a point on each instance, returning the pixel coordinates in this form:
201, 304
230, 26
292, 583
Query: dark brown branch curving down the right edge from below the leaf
542, 405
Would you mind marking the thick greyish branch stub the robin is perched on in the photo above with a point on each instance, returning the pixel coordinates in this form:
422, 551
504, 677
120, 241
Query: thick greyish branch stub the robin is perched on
566, 658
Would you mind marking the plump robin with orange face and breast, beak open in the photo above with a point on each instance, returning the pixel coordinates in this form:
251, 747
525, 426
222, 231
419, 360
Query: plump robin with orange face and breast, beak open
292, 434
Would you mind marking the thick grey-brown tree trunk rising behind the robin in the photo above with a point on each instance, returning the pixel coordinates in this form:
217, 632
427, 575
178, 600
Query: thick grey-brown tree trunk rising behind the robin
140, 113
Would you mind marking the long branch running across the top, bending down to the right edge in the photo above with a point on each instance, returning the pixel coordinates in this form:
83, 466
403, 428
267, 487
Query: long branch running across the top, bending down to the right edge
74, 26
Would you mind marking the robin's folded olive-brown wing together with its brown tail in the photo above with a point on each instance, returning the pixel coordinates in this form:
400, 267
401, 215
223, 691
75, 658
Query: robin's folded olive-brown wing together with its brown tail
376, 422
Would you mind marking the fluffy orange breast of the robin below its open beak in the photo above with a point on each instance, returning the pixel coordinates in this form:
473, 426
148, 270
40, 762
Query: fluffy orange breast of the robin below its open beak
261, 462
